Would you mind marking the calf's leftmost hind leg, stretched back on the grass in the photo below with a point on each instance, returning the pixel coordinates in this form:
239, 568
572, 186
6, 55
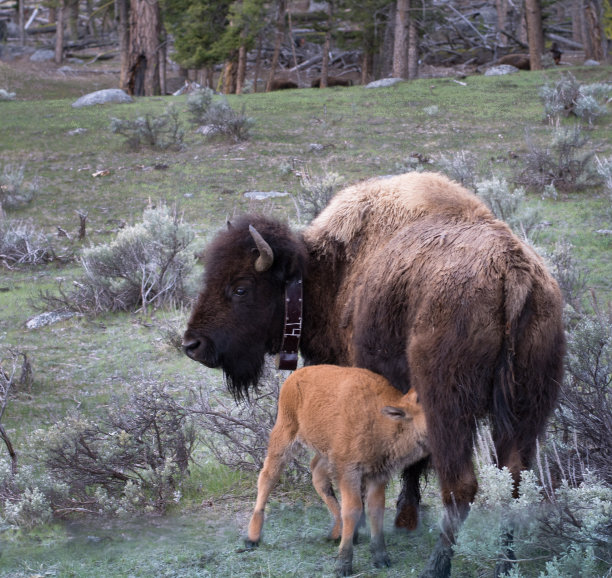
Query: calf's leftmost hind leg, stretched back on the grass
281, 439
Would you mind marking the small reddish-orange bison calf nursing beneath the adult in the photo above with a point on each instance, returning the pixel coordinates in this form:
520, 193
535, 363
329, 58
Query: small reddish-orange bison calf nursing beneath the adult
362, 429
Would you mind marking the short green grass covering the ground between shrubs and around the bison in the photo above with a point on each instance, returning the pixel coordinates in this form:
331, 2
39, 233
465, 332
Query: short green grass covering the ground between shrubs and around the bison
82, 361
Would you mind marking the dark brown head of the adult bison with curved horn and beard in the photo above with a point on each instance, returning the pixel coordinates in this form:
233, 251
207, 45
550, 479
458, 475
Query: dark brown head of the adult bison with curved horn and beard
239, 314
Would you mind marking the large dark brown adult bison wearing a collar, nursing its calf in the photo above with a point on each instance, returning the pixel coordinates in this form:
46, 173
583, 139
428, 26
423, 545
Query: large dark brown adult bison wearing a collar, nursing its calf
411, 277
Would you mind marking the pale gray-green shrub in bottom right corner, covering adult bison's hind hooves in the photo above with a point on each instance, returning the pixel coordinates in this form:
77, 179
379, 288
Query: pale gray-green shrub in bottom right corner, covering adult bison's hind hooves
565, 532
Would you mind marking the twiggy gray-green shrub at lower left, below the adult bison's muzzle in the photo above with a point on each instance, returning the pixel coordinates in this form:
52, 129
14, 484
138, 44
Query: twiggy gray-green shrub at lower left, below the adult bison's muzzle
134, 456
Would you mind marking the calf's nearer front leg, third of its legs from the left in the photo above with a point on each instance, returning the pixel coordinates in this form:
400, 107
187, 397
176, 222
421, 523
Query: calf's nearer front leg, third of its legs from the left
352, 508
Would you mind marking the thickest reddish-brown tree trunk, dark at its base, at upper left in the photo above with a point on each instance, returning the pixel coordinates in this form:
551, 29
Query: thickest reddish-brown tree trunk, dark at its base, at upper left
145, 30
